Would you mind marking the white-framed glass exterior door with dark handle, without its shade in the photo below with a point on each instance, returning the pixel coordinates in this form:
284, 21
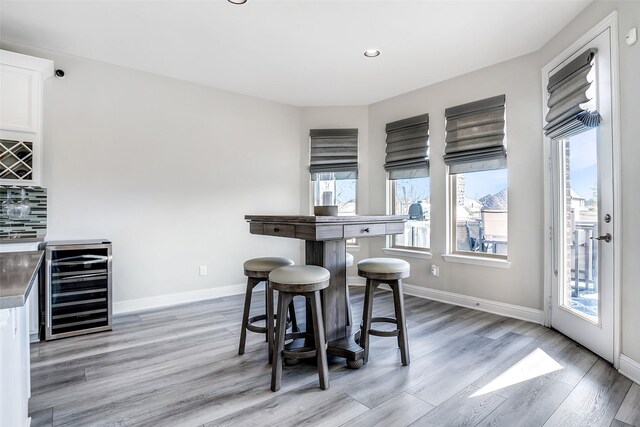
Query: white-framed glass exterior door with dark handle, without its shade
582, 185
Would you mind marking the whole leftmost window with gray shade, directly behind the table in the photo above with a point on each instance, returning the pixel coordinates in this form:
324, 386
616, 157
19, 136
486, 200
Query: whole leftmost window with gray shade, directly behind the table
334, 168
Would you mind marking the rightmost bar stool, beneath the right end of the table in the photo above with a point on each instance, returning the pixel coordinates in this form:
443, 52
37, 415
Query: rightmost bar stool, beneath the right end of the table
390, 271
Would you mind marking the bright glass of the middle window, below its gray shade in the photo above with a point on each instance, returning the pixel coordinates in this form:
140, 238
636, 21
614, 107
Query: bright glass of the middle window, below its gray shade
412, 197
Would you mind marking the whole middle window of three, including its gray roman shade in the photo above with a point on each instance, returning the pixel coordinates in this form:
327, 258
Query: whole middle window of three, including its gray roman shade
407, 162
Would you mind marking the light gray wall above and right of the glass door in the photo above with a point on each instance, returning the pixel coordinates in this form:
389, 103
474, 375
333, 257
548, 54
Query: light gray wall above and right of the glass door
628, 17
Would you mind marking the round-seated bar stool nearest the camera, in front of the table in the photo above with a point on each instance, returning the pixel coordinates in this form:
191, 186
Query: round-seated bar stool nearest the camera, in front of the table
307, 281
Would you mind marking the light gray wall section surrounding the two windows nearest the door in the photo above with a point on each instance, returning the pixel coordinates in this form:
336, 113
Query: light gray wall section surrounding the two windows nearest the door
519, 79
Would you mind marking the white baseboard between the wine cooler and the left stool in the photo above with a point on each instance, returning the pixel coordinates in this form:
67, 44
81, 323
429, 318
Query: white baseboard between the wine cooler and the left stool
142, 304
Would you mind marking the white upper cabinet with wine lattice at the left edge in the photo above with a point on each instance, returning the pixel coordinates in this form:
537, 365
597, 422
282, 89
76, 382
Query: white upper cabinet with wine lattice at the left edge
21, 83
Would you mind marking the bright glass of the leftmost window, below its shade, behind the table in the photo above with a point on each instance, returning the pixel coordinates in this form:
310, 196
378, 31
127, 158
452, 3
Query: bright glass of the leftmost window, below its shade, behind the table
327, 190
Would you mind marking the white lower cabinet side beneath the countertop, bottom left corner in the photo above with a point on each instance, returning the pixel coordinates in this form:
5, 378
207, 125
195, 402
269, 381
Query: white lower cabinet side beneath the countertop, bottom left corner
15, 388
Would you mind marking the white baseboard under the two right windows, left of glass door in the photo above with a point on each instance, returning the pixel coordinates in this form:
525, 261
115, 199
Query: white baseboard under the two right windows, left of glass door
501, 308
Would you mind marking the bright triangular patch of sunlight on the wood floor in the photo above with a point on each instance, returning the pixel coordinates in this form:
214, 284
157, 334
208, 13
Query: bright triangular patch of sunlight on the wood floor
535, 364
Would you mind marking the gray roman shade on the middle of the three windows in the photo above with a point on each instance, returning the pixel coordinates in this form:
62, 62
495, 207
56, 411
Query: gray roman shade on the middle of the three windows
408, 148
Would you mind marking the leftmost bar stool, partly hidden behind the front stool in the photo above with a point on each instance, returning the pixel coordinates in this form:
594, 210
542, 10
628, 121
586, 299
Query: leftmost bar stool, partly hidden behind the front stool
257, 270
